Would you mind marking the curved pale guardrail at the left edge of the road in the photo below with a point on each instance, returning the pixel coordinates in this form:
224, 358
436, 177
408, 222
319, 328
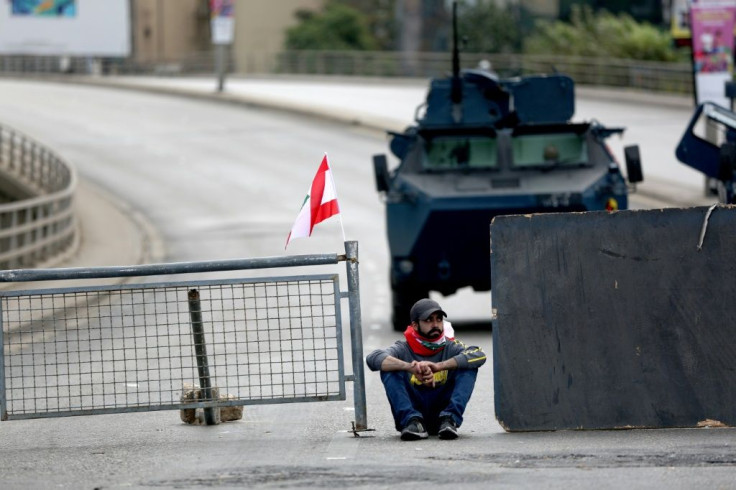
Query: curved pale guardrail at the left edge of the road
40, 225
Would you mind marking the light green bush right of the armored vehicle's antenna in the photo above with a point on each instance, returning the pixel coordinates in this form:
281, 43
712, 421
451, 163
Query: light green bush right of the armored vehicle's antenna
601, 34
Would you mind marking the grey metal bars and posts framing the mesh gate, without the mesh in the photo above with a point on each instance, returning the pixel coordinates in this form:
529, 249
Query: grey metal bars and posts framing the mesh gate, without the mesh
352, 295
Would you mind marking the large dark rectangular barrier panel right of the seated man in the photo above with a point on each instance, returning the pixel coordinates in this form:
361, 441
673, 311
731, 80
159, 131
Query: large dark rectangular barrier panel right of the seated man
615, 320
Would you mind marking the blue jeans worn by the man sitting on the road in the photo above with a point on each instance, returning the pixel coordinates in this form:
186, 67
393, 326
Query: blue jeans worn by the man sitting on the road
429, 404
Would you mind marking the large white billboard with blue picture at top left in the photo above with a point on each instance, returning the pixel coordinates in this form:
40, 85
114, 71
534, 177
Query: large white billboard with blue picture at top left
65, 27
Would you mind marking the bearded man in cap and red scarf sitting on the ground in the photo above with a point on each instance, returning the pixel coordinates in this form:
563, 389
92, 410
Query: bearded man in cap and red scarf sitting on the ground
429, 376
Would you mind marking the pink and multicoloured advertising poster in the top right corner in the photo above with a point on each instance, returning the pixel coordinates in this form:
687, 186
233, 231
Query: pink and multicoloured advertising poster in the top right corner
711, 28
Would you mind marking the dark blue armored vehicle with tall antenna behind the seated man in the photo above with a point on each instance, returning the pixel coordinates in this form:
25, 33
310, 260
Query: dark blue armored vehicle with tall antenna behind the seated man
484, 147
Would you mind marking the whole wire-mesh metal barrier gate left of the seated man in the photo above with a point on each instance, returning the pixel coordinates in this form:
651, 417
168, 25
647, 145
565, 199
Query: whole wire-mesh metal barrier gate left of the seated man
138, 347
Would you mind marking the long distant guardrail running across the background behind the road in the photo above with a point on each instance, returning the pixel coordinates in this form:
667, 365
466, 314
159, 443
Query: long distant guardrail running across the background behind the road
644, 75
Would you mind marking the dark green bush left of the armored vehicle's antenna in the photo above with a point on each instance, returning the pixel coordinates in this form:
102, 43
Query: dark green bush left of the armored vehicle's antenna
337, 26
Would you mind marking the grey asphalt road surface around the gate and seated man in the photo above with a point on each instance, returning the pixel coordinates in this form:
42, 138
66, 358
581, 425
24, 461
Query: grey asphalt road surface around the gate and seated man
224, 181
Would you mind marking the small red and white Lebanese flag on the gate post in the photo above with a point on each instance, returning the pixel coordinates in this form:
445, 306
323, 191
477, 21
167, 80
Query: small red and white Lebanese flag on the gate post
320, 204
